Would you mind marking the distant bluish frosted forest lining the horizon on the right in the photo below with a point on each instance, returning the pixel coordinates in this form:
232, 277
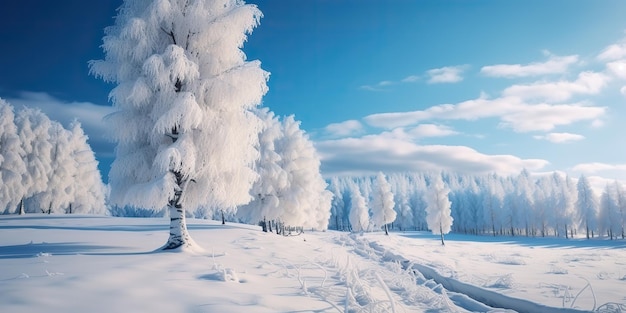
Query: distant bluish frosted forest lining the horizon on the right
523, 205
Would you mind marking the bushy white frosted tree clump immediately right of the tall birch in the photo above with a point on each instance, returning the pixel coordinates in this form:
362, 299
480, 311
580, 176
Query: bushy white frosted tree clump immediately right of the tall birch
291, 188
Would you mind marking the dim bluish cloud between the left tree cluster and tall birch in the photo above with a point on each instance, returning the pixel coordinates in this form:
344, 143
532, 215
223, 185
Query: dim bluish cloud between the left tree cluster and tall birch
88, 114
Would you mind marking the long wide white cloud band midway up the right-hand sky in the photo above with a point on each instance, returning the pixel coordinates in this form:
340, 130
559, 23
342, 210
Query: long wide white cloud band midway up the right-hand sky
512, 111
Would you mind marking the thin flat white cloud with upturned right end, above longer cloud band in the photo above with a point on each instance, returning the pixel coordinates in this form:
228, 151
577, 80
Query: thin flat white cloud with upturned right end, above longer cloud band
554, 65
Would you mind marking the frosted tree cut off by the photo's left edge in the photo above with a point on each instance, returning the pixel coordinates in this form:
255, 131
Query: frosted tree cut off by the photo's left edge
12, 166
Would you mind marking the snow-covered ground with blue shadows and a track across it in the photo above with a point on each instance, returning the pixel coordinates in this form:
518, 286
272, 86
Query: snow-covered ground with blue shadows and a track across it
68, 263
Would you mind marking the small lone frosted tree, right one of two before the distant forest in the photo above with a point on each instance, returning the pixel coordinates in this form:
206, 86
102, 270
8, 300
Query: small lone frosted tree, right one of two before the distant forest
438, 214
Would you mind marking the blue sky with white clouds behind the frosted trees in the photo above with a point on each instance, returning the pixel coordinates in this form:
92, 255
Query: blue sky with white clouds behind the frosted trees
468, 86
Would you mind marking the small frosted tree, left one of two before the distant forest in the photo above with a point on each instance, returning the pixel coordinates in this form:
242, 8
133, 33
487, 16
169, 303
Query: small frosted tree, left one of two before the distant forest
382, 203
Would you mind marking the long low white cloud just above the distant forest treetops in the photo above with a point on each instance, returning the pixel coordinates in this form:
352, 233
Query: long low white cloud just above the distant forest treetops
388, 153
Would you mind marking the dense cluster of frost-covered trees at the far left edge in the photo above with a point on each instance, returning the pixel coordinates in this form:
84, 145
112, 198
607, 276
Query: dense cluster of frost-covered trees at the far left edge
45, 167
